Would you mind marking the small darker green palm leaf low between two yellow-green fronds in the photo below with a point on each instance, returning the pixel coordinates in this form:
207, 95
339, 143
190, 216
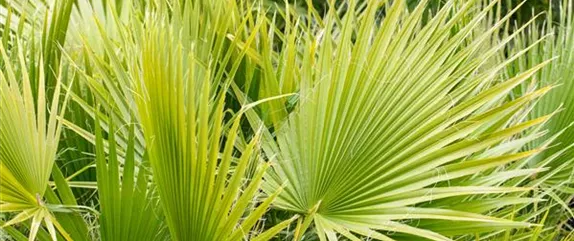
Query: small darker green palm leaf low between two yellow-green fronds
129, 208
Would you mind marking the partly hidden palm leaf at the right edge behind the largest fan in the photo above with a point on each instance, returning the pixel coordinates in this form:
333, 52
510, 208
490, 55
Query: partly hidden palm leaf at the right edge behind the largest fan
557, 181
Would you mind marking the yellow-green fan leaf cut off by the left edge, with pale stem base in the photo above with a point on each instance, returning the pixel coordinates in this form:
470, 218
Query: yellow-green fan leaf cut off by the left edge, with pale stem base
28, 144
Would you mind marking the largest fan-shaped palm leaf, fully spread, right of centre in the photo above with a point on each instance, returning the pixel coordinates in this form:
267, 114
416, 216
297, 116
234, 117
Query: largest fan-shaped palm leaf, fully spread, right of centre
390, 113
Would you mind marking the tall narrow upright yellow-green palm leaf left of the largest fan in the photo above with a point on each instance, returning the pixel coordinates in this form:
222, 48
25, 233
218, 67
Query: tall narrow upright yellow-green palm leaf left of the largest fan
204, 194
